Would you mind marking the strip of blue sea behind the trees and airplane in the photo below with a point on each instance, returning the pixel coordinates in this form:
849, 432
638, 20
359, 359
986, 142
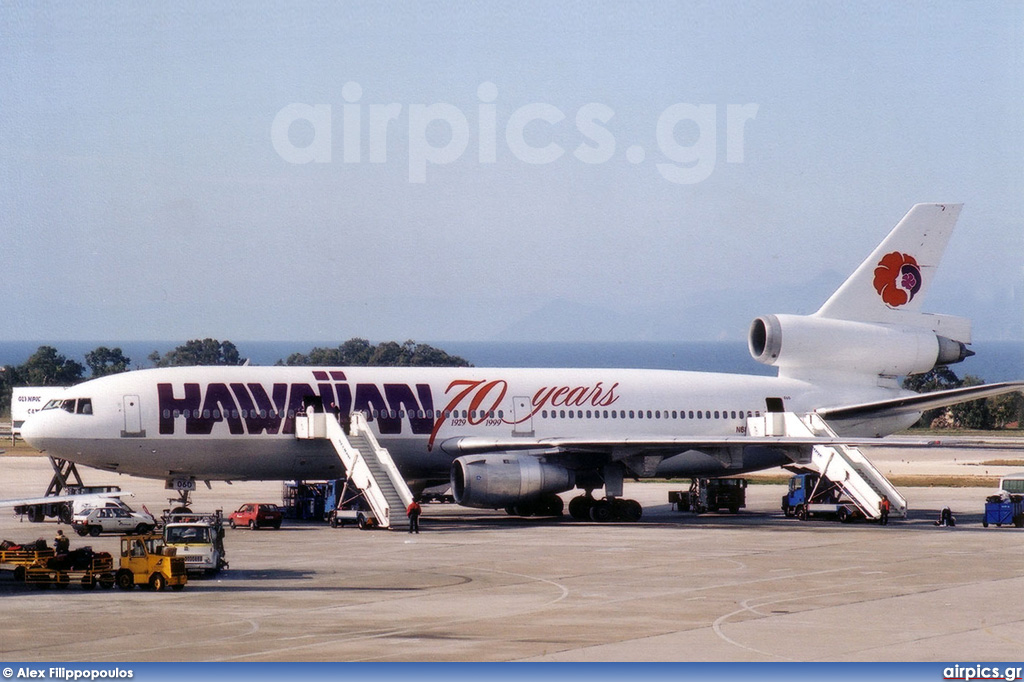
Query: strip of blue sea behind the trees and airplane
995, 361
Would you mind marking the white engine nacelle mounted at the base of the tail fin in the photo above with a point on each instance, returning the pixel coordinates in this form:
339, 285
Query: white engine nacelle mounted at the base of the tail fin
798, 343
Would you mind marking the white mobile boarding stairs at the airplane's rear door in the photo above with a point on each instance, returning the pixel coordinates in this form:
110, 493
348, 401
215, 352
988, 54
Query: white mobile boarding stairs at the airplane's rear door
844, 465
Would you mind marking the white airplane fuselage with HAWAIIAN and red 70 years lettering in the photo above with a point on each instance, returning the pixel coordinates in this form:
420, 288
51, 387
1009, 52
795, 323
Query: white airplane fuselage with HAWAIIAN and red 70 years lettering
238, 423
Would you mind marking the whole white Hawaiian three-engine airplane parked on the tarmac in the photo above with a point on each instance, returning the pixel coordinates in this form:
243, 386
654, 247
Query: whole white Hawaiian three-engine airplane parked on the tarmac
517, 438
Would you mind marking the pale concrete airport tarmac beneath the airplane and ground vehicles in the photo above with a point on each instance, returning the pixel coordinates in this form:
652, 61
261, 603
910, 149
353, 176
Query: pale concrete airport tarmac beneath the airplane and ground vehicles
484, 586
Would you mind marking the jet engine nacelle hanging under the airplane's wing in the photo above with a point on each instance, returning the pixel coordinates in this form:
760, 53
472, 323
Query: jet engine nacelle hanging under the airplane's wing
492, 482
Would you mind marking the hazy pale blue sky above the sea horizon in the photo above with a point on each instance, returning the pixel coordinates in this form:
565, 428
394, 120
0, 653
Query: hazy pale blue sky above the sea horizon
145, 195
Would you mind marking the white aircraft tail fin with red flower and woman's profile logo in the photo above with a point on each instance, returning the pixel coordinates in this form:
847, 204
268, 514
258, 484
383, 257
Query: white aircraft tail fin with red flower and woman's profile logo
891, 285
